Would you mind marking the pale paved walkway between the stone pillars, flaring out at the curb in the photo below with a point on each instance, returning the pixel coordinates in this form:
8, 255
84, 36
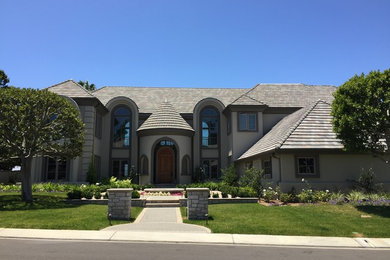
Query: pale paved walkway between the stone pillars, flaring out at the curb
159, 220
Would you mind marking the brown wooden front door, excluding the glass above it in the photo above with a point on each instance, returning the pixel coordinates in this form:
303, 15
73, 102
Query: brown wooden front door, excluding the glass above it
165, 165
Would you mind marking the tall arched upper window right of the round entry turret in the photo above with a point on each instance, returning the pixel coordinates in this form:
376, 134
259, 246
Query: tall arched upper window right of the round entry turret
209, 118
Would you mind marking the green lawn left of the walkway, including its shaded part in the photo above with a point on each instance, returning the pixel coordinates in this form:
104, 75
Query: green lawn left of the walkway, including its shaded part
49, 211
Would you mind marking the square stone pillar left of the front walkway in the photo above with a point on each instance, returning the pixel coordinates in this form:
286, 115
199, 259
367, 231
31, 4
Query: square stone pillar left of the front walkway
119, 203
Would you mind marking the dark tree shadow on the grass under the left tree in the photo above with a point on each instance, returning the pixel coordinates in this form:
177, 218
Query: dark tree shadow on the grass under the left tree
14, 202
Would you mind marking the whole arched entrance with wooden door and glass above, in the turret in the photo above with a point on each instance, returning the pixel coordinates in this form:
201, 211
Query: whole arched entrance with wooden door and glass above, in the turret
165, 162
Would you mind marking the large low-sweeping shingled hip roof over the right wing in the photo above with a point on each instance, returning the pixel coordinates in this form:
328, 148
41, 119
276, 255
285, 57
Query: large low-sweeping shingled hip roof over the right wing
307, 128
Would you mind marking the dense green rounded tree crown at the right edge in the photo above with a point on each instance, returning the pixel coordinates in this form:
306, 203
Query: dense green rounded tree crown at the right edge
361, 112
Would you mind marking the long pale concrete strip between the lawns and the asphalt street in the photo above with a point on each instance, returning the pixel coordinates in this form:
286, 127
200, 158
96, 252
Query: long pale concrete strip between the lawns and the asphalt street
204, 238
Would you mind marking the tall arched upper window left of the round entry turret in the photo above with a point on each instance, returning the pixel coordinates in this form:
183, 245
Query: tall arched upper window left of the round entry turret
121, 127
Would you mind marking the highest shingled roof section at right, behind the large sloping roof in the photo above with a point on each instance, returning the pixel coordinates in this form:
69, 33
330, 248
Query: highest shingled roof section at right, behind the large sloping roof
291, 94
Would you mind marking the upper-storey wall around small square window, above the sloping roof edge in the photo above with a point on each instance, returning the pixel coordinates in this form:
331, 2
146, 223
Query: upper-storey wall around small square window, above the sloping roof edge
243, 140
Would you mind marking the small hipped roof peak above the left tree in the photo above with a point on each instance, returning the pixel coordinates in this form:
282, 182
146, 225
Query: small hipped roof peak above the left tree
71, 89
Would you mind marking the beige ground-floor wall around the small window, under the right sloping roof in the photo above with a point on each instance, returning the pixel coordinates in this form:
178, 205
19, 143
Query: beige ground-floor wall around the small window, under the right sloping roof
334, 171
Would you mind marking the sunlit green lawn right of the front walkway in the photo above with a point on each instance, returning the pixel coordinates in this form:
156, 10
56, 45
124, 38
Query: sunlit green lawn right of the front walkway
309, 220
